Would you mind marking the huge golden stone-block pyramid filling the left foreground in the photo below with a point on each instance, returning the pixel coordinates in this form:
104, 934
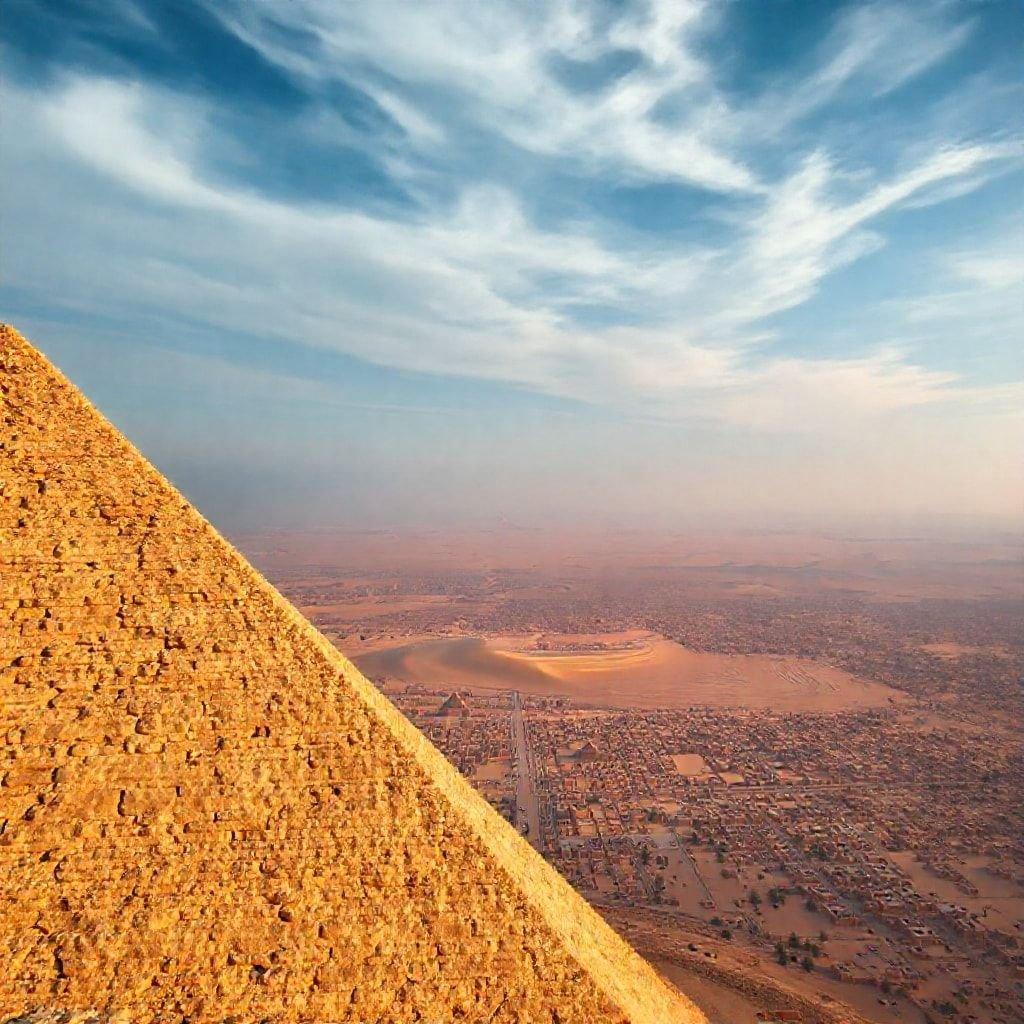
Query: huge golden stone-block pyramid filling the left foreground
207, 814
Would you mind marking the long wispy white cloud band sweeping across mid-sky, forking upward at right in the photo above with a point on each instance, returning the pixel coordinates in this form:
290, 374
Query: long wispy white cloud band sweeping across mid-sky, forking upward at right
466, 289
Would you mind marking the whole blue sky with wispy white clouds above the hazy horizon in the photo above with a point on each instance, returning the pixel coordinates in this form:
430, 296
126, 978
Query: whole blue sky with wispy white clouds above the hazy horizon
618, 263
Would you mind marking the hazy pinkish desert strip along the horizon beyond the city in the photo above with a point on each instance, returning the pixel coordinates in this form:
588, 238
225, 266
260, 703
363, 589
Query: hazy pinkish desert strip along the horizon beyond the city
735, 563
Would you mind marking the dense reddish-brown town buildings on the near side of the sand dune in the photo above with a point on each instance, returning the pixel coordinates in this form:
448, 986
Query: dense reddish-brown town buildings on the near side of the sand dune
882, 848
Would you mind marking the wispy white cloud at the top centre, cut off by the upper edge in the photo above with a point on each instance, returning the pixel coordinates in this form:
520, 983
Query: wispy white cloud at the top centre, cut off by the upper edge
498, 64
